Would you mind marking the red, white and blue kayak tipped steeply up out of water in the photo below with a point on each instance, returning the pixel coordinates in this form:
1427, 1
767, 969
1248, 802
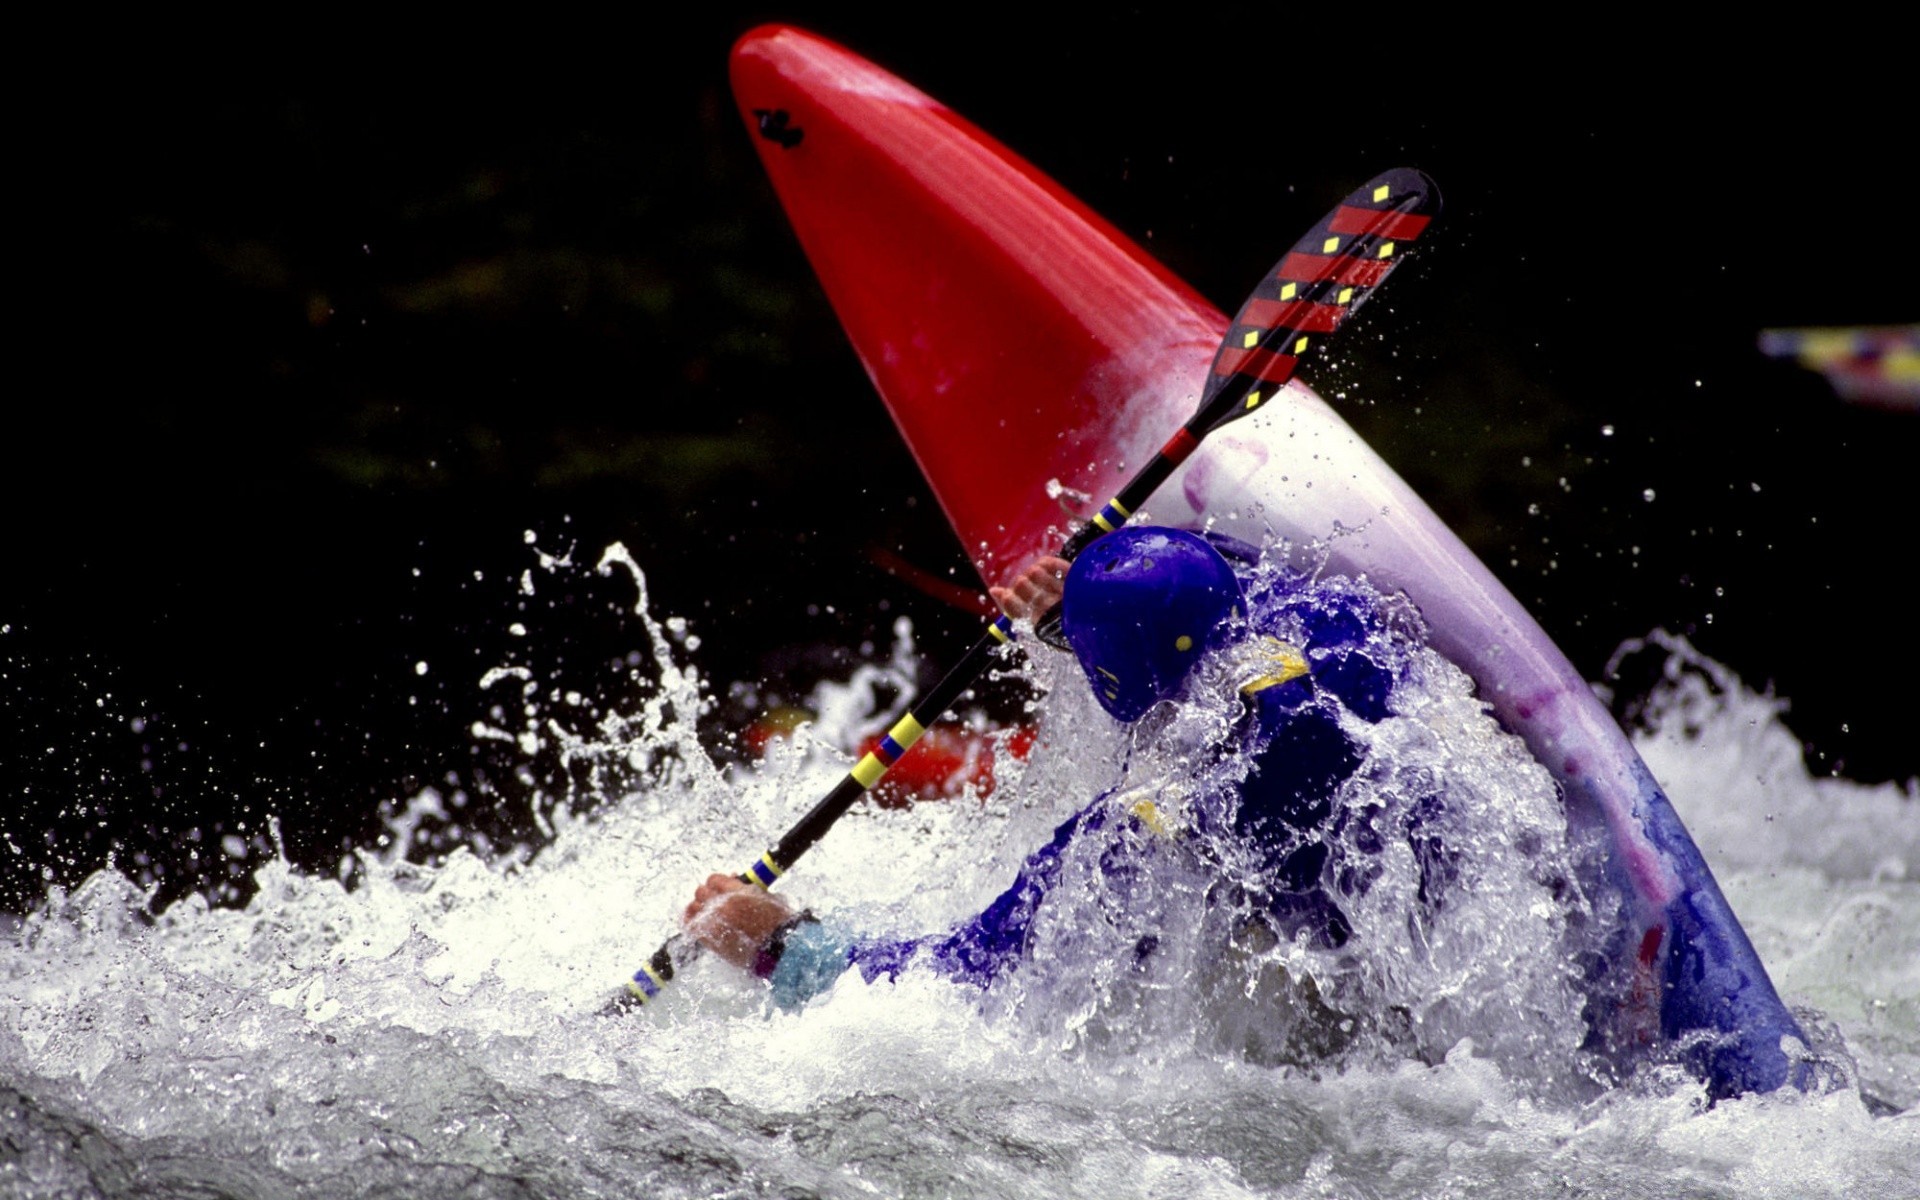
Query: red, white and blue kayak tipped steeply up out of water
984, 299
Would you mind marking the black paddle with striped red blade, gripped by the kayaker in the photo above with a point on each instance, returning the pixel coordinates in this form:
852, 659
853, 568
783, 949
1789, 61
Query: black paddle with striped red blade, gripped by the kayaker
1308, 295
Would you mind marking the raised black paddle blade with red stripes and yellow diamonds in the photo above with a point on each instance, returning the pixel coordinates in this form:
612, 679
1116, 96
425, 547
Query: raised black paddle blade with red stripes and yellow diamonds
1310, 293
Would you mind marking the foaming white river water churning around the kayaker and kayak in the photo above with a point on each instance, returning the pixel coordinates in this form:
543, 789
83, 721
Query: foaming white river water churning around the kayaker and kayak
439, 1028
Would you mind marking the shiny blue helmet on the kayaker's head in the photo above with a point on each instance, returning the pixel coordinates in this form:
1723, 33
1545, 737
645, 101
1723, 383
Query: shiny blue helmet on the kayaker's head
1141, 606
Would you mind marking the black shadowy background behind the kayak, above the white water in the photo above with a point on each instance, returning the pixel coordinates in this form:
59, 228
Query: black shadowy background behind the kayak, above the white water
306, 352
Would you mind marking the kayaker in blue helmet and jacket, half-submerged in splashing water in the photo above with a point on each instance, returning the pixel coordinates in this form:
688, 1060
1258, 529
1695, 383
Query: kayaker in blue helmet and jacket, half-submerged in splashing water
1164, 621
